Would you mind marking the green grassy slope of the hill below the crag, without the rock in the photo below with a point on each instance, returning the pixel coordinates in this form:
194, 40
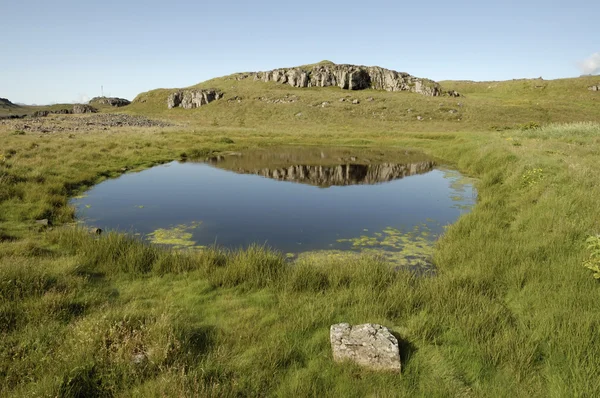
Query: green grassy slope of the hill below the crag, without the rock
483, 106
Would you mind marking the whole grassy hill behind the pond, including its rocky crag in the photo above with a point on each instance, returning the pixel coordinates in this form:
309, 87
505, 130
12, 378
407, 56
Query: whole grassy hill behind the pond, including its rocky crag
284, 97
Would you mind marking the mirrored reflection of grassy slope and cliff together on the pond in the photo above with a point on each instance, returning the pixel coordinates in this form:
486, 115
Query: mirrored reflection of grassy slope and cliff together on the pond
324, 168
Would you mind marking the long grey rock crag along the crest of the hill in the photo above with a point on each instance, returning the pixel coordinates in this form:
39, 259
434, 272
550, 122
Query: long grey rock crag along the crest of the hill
349, 77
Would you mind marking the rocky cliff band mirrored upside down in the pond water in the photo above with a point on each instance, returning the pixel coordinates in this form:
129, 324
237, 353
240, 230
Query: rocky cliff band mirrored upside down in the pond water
340, 175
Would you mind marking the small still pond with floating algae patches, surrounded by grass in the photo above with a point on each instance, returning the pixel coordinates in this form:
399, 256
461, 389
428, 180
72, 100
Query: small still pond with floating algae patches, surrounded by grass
294, 200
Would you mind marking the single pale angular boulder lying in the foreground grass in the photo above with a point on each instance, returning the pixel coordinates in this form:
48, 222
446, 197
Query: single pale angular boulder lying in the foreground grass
369, 345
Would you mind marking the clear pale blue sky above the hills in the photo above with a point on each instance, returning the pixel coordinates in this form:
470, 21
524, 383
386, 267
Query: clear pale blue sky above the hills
69, 51
